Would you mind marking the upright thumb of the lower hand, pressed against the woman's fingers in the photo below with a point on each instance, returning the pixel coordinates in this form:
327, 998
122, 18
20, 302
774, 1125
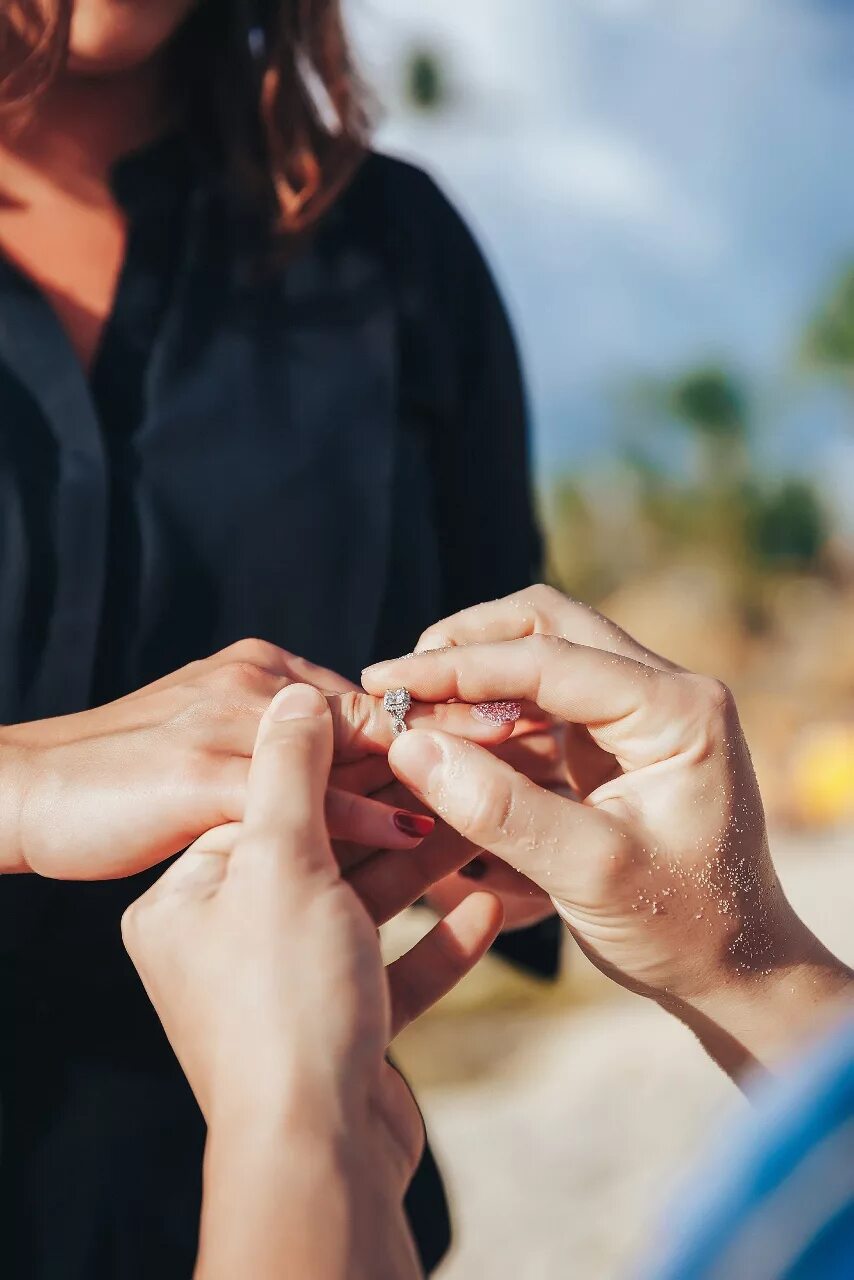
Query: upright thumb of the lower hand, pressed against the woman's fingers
287, 787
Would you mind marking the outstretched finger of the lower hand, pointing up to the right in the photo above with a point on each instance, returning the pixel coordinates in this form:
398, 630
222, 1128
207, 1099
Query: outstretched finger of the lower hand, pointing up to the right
439, 962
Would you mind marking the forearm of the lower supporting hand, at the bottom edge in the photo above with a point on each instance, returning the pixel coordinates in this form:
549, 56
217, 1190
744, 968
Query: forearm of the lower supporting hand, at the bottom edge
277, 1205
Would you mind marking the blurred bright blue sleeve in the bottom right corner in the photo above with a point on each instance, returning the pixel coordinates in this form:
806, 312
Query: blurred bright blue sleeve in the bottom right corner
777, 1200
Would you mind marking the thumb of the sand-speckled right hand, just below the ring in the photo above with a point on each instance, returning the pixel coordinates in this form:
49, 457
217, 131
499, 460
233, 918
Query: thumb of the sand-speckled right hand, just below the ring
499, 810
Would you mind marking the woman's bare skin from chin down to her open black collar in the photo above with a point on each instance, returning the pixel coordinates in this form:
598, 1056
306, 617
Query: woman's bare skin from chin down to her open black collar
60, 222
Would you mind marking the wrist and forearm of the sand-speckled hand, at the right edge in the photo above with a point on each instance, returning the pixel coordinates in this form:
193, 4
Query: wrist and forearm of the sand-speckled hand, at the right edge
751, 1023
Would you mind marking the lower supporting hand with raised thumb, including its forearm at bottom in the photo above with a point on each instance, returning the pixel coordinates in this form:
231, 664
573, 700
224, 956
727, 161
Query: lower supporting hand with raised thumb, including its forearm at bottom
266, 971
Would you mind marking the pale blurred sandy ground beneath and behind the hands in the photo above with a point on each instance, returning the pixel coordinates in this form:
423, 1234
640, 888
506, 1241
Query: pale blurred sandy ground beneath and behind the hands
564, 1119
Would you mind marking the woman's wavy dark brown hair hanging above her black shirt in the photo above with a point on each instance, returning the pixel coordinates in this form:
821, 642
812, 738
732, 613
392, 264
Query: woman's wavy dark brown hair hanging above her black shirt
271, 84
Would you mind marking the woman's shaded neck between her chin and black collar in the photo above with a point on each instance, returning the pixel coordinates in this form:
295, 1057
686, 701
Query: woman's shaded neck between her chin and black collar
84, 125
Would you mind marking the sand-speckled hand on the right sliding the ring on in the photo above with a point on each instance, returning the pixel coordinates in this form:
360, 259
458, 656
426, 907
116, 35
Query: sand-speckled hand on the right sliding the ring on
661, 871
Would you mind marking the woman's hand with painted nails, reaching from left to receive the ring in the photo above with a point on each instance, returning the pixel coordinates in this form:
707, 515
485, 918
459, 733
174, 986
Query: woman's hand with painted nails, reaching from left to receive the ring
115, 790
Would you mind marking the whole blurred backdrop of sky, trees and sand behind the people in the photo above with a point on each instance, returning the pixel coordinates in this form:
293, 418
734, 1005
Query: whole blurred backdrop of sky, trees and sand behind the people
665, 194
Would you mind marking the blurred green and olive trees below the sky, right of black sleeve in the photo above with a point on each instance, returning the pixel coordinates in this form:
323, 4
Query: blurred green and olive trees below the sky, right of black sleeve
646, 514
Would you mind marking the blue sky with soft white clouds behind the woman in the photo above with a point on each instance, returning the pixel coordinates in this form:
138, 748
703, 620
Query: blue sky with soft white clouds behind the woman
657, 182
